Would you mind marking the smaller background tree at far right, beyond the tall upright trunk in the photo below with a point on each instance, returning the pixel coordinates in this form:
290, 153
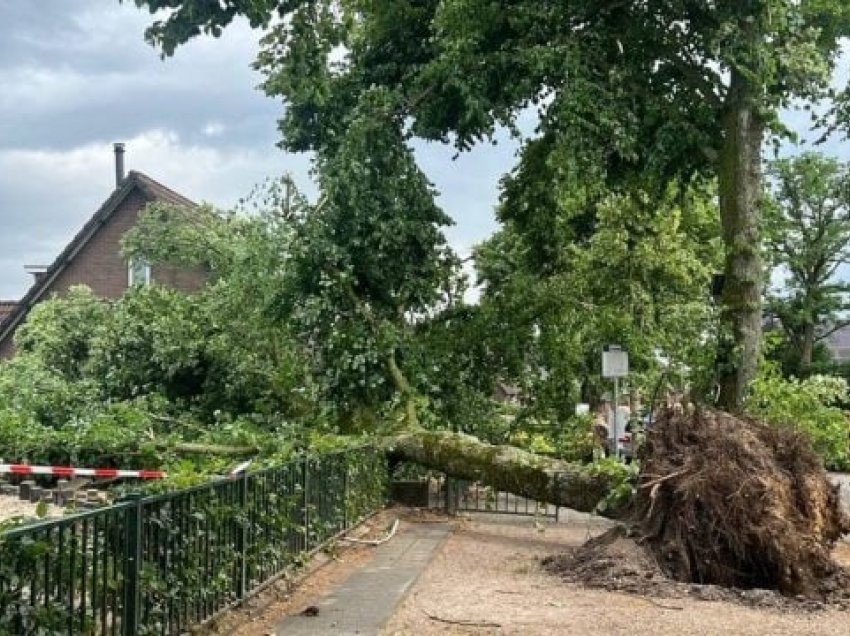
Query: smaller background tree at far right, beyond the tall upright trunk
807, 236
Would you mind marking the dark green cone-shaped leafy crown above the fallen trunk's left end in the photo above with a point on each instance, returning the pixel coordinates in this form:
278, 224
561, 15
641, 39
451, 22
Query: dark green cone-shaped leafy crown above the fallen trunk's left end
366, 261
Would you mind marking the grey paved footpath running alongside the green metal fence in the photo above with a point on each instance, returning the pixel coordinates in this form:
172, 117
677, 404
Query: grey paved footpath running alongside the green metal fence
365, 601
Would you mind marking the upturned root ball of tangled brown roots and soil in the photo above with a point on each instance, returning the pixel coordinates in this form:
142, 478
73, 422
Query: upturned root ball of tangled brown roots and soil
734, 502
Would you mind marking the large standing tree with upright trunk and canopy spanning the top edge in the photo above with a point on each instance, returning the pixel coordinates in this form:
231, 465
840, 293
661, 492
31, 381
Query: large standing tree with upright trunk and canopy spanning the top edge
663, 87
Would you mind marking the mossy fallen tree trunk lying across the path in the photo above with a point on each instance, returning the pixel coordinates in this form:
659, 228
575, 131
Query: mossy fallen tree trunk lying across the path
506, 468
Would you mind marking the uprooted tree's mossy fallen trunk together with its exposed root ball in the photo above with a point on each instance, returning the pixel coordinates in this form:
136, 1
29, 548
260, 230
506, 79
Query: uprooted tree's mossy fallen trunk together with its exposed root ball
720, 499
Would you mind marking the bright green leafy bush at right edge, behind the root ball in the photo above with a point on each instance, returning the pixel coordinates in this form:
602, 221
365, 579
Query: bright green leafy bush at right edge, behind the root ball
812, 406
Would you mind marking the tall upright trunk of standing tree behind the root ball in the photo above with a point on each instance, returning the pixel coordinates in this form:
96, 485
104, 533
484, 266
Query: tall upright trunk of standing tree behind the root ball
740, 189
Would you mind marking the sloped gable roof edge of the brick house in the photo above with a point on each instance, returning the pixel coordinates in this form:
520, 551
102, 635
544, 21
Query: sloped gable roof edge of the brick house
150, 189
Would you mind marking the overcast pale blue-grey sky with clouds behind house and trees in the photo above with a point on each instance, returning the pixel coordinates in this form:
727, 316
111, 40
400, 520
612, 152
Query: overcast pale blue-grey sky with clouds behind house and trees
76, 75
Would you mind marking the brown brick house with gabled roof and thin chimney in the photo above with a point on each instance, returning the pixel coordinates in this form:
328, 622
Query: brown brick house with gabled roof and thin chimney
93, 257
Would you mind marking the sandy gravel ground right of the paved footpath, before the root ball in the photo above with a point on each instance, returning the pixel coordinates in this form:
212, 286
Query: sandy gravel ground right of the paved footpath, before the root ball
487, 579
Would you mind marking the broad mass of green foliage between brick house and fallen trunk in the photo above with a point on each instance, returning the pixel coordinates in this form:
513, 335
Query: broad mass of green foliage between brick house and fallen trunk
276, 351
